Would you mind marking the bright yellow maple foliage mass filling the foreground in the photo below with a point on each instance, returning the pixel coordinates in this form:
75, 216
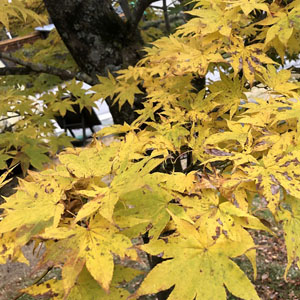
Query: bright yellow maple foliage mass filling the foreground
187, 172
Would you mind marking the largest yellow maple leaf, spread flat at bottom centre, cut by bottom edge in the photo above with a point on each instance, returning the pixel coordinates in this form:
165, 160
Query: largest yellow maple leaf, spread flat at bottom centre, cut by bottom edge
207, 267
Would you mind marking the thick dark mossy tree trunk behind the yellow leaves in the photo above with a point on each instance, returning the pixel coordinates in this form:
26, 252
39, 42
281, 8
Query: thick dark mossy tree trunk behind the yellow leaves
98, 40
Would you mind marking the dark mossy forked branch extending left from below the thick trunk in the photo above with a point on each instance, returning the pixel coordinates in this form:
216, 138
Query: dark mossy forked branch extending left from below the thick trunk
30, 67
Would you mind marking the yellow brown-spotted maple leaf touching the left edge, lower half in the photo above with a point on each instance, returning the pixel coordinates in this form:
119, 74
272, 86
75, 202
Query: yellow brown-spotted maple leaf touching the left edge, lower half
32, 208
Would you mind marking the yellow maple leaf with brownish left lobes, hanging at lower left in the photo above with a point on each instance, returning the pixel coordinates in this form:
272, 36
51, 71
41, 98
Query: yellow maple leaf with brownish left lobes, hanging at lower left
92, 246
